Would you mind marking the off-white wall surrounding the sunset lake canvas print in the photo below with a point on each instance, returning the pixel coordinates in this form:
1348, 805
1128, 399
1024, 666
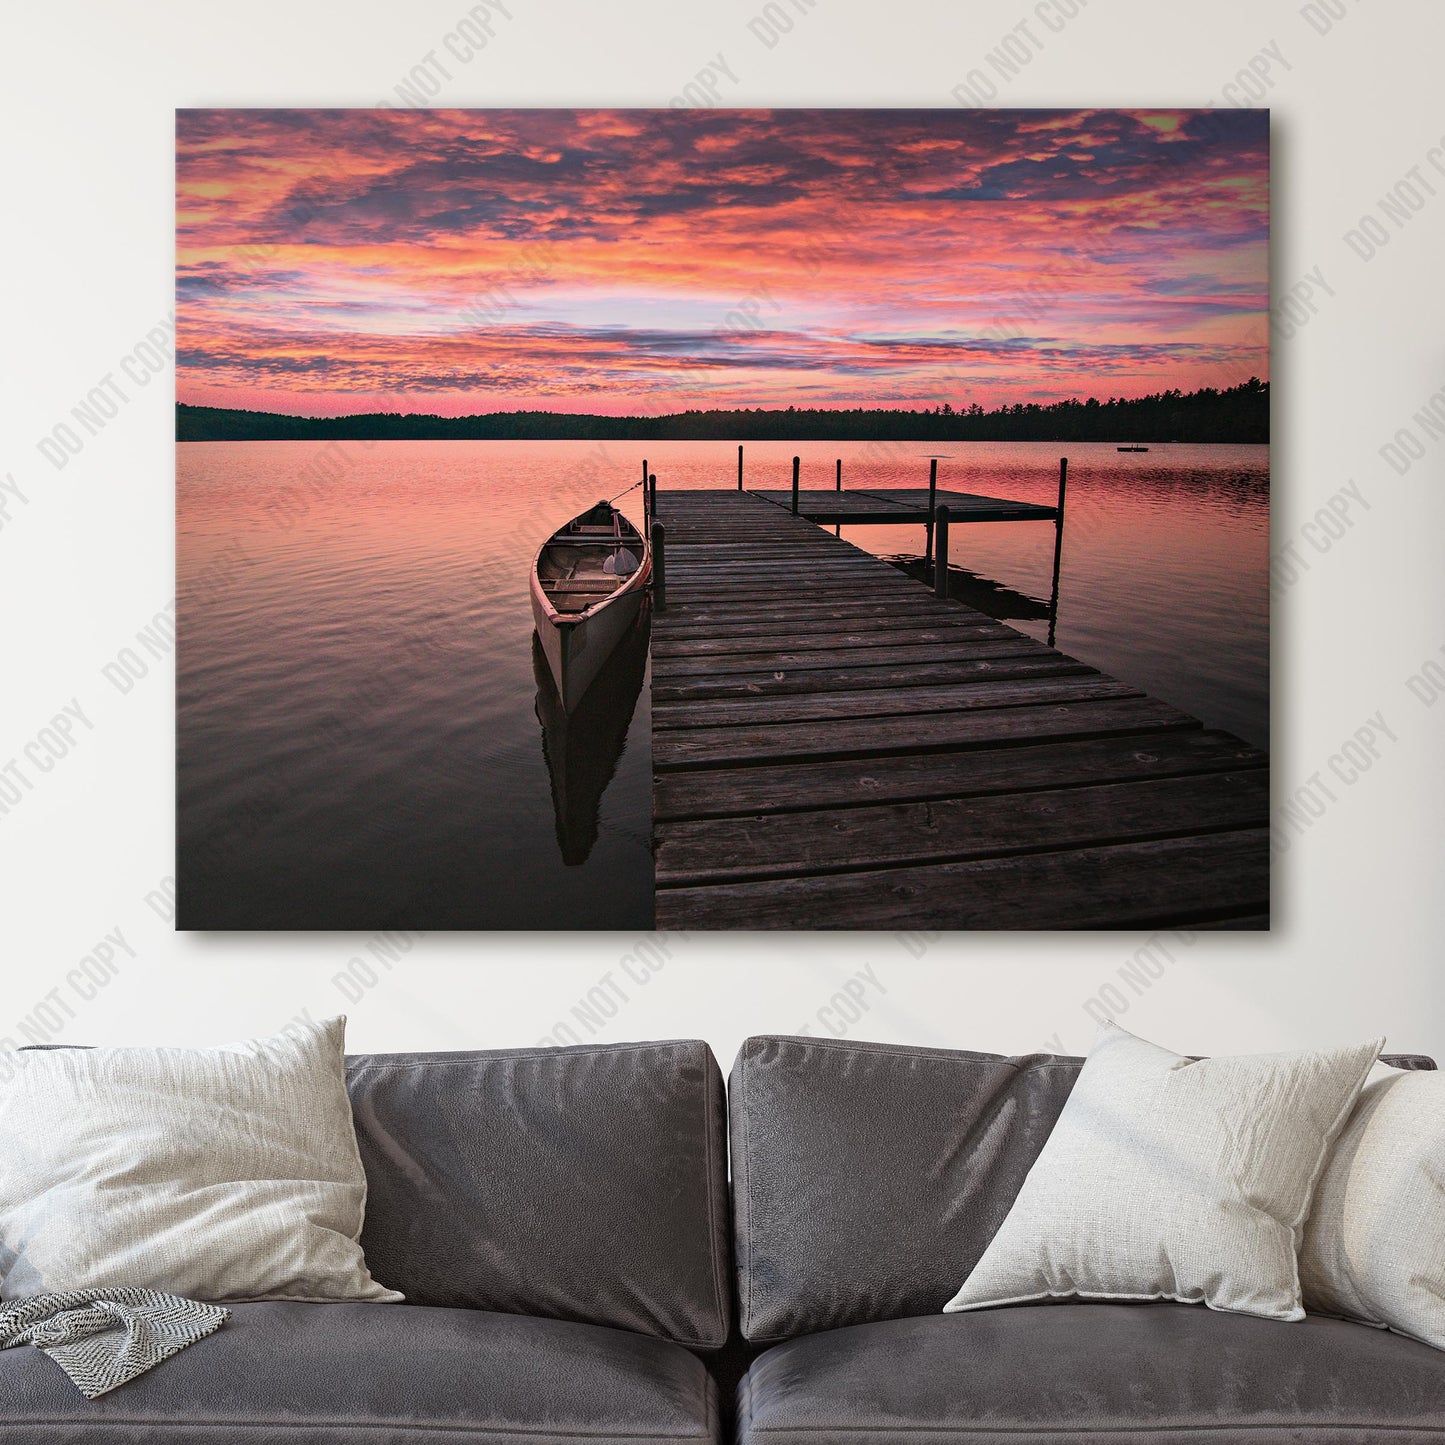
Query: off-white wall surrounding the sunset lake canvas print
86, 560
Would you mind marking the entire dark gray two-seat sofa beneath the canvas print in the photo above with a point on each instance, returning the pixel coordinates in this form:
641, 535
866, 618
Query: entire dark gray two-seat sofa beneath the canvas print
560, 1223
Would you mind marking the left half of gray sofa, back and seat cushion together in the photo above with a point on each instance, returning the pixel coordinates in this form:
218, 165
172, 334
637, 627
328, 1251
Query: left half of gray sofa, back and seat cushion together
558, 1222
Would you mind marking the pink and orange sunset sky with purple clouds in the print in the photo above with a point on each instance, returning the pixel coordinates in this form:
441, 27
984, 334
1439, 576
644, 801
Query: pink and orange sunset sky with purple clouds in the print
642, 262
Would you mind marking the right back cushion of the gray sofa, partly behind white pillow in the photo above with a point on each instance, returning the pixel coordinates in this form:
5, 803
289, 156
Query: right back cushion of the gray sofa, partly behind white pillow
869, 1178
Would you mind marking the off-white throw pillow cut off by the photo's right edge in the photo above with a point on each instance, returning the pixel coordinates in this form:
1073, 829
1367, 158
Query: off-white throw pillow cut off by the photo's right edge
1375, 1242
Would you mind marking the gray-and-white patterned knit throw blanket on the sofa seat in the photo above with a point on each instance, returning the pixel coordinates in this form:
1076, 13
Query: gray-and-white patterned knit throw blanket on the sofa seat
106, 1337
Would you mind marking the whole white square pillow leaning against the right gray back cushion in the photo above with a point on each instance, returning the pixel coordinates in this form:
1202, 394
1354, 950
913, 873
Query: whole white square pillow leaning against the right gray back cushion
1168, 1178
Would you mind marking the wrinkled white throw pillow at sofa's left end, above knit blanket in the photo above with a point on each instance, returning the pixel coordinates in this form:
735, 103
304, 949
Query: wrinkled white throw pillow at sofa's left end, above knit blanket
219, 1174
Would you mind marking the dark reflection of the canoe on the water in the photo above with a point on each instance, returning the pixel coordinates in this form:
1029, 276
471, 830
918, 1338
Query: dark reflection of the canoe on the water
583, 748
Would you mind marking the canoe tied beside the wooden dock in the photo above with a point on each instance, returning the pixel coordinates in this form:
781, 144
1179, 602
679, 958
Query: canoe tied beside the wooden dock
589, 582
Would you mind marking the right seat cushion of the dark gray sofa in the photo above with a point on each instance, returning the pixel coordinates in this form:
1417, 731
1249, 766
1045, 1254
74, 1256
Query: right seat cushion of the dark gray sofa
1099, 1375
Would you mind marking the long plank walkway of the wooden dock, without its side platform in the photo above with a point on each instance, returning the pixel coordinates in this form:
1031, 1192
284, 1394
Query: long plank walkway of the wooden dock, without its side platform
837, 748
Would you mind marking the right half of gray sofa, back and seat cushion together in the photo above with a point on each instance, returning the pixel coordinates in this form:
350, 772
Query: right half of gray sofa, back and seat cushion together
868, 1181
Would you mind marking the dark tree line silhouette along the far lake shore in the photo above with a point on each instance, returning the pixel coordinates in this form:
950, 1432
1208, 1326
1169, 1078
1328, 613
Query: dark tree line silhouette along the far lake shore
1238, 414
